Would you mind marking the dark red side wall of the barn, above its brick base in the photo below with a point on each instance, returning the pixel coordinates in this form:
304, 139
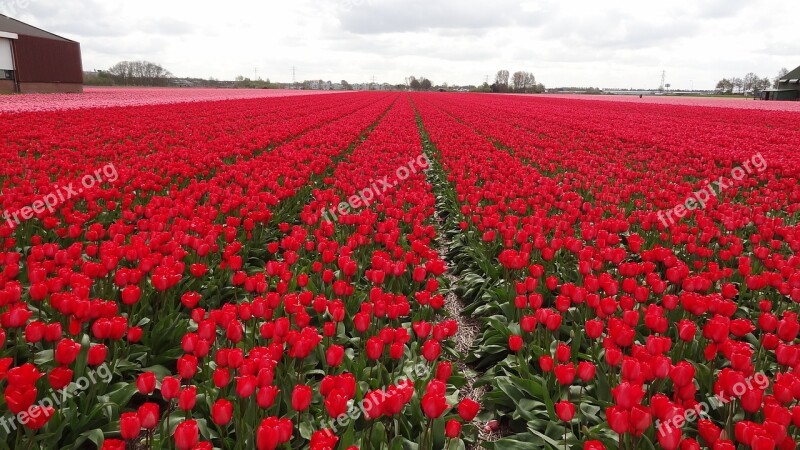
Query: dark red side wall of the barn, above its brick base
41, 60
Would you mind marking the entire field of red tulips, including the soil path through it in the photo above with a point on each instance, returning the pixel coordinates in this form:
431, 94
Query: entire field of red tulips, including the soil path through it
395, 271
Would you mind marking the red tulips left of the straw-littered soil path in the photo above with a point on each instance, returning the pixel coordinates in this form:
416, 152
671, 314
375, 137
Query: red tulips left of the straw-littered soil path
227, 311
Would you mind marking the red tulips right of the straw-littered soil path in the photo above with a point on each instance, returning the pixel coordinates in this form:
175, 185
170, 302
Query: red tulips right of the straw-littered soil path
598, 316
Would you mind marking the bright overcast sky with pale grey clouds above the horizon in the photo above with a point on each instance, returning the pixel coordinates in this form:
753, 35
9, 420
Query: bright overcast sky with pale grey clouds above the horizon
564, 43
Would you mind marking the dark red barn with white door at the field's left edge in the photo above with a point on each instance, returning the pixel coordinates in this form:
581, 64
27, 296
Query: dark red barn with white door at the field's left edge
34, 60
